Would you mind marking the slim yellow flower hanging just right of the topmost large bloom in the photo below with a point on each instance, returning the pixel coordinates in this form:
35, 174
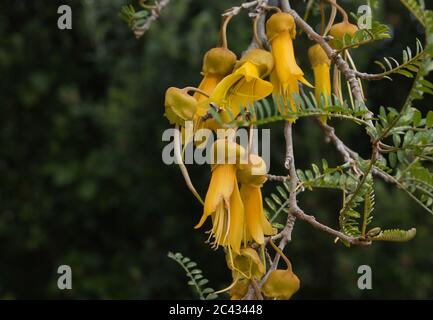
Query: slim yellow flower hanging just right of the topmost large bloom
322, 75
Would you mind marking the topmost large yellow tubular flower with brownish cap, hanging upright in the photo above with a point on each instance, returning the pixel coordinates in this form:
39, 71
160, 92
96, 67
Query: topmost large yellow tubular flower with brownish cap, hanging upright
281, 31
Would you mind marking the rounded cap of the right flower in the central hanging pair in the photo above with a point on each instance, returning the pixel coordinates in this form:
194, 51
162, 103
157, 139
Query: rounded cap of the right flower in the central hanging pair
254, 172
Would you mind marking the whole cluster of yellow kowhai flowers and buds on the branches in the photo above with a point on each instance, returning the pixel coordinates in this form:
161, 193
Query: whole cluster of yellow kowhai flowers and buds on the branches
234, 199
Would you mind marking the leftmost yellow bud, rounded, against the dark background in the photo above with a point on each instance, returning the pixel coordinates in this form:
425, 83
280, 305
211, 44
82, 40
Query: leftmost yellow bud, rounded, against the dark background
179, 106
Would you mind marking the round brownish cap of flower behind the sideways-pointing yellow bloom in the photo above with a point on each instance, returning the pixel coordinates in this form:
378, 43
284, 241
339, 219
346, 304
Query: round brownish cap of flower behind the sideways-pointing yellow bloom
219, 61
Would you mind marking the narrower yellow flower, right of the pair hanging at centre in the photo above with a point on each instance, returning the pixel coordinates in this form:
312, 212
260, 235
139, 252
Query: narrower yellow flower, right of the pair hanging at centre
252, 176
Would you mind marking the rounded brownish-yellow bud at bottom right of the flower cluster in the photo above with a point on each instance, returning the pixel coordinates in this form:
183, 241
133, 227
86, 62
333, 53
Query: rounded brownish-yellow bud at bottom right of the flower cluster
281, 284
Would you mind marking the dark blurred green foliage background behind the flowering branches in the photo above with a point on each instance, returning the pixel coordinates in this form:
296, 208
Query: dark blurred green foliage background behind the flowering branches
83, 183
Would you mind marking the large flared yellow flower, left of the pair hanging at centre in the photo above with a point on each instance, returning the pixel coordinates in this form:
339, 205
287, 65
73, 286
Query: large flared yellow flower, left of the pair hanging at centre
223, 202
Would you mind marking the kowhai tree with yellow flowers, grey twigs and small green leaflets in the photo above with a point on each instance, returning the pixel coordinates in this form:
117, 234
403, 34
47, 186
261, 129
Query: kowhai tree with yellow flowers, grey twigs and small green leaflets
265, 85
